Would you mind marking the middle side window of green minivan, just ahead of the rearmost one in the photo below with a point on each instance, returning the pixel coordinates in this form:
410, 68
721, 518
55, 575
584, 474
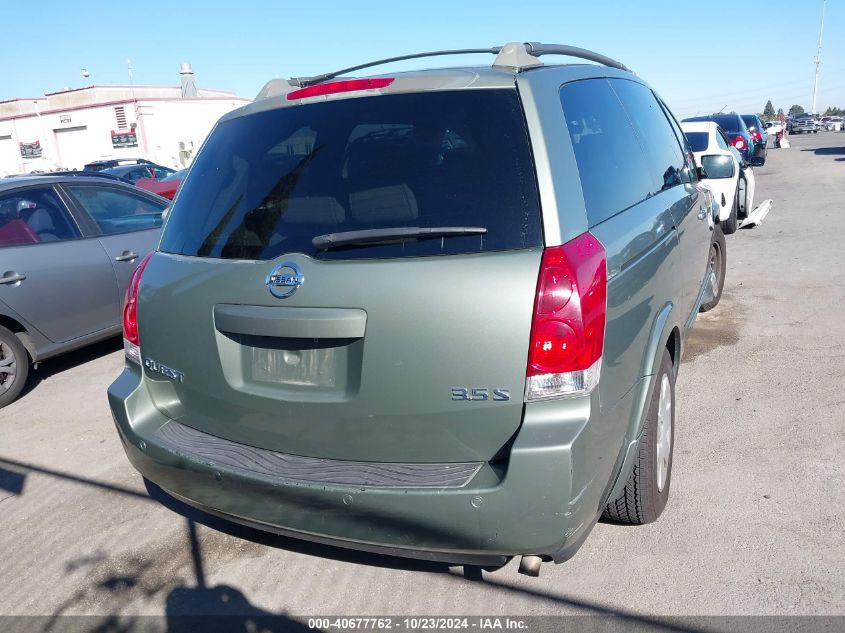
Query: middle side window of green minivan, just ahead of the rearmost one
666, 160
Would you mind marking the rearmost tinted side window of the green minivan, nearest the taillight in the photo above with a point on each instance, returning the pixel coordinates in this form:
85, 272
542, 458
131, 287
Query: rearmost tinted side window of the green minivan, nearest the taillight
606, 149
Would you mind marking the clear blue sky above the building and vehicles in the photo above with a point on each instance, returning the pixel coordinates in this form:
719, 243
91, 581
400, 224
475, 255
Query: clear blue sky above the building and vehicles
700, 57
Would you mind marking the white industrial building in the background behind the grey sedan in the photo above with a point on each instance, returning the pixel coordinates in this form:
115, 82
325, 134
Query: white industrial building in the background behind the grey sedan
67, 129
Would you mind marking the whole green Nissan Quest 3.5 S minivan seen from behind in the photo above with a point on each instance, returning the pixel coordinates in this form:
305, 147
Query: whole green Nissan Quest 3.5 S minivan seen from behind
317, 347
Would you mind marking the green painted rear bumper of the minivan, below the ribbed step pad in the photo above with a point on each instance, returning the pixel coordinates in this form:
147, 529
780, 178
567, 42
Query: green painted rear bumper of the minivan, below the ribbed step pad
527, 505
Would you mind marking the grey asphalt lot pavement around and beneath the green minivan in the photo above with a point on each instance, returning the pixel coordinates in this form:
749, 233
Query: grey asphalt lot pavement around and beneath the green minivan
753, 526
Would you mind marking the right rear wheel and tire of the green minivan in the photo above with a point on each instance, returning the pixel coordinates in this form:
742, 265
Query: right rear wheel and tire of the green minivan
647, 489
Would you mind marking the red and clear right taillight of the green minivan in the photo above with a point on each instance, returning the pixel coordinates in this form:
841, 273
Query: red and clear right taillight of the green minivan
570, 310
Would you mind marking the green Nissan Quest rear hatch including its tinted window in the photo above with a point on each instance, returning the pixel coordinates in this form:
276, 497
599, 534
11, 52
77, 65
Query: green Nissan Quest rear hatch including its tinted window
305, 312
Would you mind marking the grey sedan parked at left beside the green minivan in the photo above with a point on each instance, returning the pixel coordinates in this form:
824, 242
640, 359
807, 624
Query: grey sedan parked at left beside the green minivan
68, 246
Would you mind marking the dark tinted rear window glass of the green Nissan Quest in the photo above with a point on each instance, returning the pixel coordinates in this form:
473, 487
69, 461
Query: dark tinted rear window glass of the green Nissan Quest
266, 184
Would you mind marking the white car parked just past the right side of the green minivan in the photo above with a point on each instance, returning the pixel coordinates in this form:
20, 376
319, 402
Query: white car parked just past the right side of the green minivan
720, 169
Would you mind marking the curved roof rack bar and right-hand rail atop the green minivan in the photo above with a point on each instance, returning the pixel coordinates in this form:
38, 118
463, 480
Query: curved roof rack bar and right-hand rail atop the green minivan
516, 55
